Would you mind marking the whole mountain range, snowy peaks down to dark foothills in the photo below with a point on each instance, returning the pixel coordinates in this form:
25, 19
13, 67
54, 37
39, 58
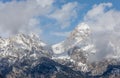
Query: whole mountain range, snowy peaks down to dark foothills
27, 56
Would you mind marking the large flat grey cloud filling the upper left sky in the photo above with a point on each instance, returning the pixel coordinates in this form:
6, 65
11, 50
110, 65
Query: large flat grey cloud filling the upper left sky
18, 17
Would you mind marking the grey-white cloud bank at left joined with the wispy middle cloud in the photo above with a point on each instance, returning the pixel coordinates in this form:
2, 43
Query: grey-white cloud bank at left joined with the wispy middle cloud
24, 16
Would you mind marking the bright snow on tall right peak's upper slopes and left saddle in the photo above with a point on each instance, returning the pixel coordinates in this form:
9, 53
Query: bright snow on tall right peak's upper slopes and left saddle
78, 37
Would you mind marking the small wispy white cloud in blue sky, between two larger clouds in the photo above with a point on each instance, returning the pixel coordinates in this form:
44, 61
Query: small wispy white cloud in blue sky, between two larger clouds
65, 15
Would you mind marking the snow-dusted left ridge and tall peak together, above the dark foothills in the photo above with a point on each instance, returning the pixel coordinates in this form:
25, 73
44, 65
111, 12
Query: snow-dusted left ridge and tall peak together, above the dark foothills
75, 49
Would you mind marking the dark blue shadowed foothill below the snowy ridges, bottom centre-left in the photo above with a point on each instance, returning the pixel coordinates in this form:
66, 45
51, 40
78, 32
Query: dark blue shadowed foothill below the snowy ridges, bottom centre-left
46, 68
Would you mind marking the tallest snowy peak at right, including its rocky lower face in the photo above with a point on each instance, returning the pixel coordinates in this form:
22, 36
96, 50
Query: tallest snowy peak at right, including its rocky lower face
76, 48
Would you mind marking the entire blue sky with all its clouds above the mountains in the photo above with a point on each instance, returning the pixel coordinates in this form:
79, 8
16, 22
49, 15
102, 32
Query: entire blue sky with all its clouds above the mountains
53, 20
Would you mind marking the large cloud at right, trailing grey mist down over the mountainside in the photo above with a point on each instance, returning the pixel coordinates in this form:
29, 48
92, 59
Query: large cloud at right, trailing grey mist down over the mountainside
105, 24
